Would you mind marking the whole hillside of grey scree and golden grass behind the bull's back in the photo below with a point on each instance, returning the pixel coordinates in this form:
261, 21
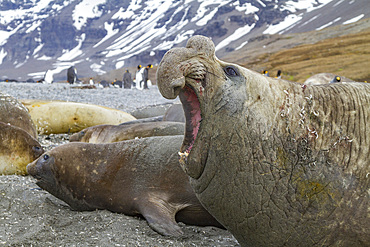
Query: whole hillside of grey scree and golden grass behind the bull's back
346, 54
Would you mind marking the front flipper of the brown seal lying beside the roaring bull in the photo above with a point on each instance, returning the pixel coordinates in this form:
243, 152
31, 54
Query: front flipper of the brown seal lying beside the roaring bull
161, 218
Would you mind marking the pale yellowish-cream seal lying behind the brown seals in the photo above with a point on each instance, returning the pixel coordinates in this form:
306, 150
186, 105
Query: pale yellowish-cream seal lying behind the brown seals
55, 117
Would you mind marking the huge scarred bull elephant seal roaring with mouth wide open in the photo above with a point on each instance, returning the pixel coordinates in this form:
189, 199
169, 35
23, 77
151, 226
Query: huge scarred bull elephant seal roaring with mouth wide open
277, 163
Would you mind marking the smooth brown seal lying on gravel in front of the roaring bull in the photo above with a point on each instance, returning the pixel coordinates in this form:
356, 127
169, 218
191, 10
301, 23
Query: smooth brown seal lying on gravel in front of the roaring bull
135, 177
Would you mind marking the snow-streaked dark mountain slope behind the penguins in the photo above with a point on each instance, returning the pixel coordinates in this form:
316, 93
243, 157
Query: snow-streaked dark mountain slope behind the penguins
97, 36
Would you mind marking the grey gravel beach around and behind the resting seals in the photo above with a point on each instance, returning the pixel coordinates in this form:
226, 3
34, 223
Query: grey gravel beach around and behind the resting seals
30, 216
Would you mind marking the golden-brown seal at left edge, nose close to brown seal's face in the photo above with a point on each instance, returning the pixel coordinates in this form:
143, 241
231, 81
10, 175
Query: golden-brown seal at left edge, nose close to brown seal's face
17, 149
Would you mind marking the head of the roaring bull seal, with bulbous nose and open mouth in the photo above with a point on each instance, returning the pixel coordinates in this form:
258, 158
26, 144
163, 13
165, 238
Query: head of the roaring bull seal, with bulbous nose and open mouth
201, 81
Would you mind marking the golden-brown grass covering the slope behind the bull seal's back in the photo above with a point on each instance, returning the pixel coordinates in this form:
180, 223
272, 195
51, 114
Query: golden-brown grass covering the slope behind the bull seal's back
347, 56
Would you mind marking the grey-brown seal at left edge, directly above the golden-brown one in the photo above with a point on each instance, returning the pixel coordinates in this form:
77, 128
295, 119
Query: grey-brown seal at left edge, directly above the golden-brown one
15, 113
